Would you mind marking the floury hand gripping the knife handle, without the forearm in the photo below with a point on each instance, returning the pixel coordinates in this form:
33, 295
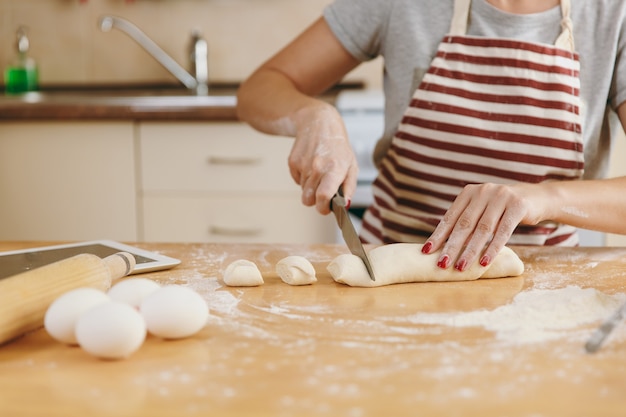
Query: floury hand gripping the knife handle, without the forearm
321, 158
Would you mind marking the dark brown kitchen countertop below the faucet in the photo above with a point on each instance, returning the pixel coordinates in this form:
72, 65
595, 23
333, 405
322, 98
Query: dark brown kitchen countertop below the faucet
136, 102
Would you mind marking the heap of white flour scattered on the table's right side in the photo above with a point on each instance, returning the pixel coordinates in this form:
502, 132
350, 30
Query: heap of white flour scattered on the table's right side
536, 315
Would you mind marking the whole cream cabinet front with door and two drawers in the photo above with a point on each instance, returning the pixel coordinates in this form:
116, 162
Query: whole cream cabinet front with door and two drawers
151, 181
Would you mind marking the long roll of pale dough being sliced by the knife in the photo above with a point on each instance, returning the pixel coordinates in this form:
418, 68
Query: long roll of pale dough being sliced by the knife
398, 263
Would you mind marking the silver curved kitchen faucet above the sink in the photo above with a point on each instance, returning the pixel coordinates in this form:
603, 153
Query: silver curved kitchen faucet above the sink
198, 54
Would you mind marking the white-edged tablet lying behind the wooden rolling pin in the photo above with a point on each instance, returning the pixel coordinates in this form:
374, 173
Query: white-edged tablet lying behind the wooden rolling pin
18, 261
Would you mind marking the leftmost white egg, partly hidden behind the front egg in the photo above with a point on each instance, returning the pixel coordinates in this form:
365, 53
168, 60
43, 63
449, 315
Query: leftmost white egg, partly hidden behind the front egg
61, 317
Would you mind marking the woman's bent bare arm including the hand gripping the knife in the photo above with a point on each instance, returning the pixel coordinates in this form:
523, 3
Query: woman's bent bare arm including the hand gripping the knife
281, 98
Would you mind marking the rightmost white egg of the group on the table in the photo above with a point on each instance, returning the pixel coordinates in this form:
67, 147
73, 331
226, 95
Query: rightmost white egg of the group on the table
174, 312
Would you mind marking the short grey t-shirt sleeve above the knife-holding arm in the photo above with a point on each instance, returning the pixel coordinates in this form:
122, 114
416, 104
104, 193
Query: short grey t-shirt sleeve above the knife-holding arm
359, 25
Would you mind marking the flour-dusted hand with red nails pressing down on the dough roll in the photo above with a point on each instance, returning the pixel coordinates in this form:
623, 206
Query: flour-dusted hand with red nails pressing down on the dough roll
480, 222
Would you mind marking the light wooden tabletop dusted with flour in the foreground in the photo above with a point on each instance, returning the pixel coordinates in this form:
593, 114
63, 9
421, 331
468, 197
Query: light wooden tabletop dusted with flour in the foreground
332, 350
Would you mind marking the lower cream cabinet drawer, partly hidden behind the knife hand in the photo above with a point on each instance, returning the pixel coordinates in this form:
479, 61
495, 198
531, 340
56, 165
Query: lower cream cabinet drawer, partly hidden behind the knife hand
234, 219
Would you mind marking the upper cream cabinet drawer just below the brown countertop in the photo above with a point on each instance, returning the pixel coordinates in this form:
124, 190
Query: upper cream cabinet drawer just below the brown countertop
212, 157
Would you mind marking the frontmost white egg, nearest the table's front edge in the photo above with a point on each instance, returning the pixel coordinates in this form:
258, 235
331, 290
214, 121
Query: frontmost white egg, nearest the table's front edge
111, 330
